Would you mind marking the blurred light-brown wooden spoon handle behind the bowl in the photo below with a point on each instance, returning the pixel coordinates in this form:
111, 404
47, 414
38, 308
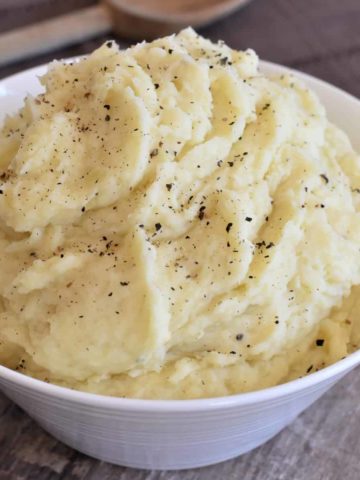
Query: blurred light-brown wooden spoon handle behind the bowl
54, 33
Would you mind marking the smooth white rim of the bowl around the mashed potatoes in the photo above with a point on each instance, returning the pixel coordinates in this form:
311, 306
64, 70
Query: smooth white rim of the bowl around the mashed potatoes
334, 370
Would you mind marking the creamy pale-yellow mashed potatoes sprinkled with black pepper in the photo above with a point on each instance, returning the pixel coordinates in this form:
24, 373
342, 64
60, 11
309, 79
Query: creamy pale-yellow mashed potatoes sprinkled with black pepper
173, 224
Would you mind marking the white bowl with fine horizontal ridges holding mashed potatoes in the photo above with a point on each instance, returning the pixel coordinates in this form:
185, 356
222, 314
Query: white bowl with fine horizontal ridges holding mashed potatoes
173, 434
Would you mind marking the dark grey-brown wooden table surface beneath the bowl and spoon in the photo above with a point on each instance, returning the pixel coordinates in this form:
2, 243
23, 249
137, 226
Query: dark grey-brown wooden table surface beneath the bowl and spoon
320, 37
